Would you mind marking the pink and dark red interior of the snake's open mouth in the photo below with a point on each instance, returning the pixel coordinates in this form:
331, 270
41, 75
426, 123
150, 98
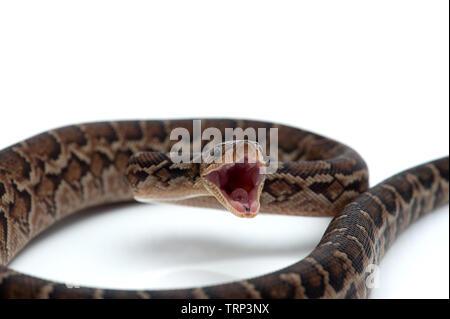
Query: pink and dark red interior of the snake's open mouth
239, 183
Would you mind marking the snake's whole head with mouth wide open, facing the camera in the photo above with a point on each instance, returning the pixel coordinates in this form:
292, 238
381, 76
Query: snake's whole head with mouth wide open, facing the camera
236, 177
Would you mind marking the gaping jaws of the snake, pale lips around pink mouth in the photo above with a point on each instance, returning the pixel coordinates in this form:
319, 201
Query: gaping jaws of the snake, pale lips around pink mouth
238, 185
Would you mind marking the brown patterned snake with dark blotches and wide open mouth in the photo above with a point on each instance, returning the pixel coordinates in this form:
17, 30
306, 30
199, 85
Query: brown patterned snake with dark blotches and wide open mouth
52, 175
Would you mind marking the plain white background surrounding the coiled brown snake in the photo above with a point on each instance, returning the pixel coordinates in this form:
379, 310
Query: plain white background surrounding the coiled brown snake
373, 74
